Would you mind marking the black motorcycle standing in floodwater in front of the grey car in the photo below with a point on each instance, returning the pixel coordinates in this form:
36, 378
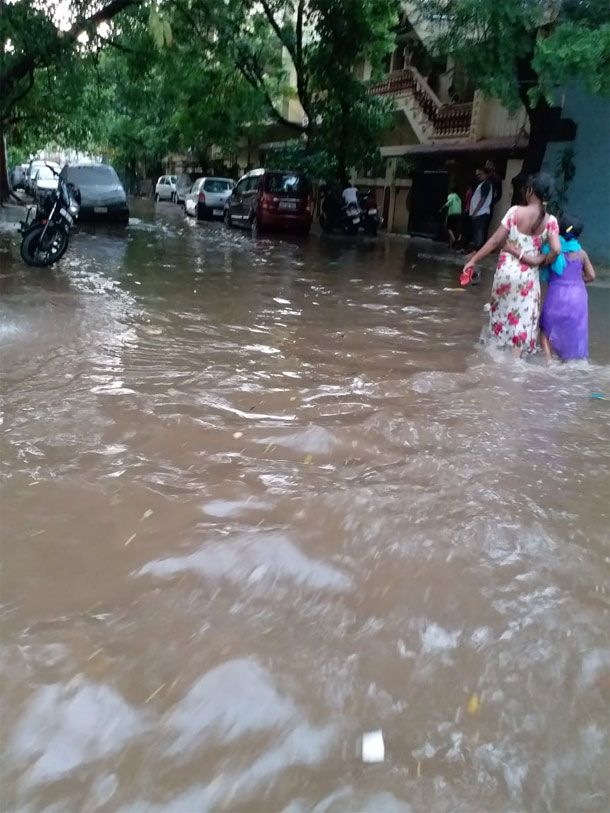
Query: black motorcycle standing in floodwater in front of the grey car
45, 237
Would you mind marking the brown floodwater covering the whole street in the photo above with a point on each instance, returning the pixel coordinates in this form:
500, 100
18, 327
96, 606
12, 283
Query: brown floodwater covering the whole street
263, 497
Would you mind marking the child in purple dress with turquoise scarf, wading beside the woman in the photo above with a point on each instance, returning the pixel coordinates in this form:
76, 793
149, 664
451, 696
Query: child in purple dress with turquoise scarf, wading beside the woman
564, 321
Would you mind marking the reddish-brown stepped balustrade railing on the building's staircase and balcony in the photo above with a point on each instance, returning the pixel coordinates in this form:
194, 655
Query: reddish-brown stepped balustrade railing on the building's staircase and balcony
447, 120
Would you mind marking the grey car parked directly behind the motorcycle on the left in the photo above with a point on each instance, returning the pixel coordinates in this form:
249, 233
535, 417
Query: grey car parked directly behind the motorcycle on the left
101, 191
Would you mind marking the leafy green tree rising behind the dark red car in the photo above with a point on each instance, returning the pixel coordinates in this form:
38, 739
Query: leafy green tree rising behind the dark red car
306, 50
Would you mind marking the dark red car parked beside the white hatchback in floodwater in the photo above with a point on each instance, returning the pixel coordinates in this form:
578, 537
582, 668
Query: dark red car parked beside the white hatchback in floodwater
271, 199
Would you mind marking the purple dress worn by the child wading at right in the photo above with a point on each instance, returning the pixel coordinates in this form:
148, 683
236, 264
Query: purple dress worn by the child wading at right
565, 318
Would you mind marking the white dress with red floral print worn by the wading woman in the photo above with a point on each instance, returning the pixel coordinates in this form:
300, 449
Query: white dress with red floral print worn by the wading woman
515, 296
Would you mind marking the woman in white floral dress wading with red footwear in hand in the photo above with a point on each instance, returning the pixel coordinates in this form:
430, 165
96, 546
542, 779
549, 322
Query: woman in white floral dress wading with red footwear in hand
515, 297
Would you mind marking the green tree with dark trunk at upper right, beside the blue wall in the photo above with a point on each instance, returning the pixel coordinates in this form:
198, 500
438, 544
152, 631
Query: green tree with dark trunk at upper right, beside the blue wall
518, 51
